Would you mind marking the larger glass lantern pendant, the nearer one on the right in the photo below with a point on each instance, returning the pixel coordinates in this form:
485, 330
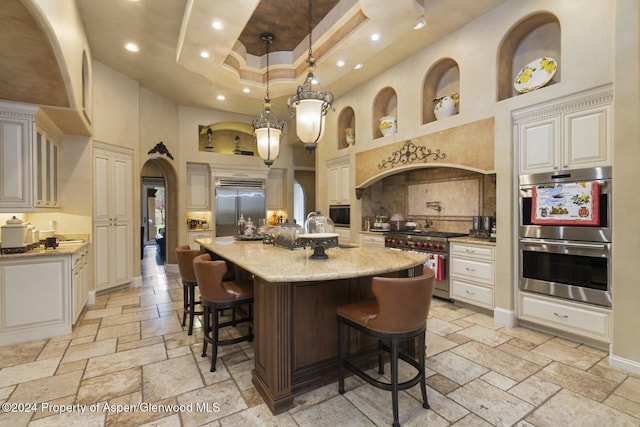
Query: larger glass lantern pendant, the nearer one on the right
310, 106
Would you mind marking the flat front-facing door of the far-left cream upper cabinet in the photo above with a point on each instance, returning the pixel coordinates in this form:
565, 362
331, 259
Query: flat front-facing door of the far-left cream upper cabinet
15, 168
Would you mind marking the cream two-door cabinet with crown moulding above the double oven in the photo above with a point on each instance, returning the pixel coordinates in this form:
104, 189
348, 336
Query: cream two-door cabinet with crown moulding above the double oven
567, 134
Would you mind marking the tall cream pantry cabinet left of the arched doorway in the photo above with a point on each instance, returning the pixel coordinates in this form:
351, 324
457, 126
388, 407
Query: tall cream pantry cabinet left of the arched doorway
113, 230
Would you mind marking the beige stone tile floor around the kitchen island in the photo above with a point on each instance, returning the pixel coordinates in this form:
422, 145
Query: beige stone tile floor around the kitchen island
130, 347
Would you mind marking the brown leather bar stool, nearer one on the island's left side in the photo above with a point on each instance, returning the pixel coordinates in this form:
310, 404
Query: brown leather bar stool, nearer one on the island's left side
218, 295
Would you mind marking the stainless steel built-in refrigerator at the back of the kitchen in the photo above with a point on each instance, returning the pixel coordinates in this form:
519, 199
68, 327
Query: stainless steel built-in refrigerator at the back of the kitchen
234, 198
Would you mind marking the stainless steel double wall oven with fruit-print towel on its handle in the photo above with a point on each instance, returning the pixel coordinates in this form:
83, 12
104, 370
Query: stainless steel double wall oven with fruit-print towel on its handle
565, 234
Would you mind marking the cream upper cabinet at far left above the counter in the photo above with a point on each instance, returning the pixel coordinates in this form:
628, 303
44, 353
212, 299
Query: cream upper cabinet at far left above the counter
29, 150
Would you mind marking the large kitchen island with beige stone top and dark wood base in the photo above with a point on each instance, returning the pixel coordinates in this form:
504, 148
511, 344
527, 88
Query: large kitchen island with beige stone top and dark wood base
295, 307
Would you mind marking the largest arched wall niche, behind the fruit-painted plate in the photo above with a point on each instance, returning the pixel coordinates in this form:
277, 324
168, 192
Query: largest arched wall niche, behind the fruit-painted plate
533, 37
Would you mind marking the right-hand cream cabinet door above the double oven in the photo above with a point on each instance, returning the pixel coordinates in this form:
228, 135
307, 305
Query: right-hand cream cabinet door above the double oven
587, 137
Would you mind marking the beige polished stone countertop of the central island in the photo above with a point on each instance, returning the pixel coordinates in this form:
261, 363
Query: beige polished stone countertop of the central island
275, 264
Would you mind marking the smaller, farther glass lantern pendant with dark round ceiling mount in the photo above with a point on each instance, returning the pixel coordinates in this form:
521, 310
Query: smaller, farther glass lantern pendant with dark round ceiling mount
266, 127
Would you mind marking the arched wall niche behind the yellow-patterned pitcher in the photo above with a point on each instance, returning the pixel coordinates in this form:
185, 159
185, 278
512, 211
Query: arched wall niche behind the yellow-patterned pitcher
443, 78
